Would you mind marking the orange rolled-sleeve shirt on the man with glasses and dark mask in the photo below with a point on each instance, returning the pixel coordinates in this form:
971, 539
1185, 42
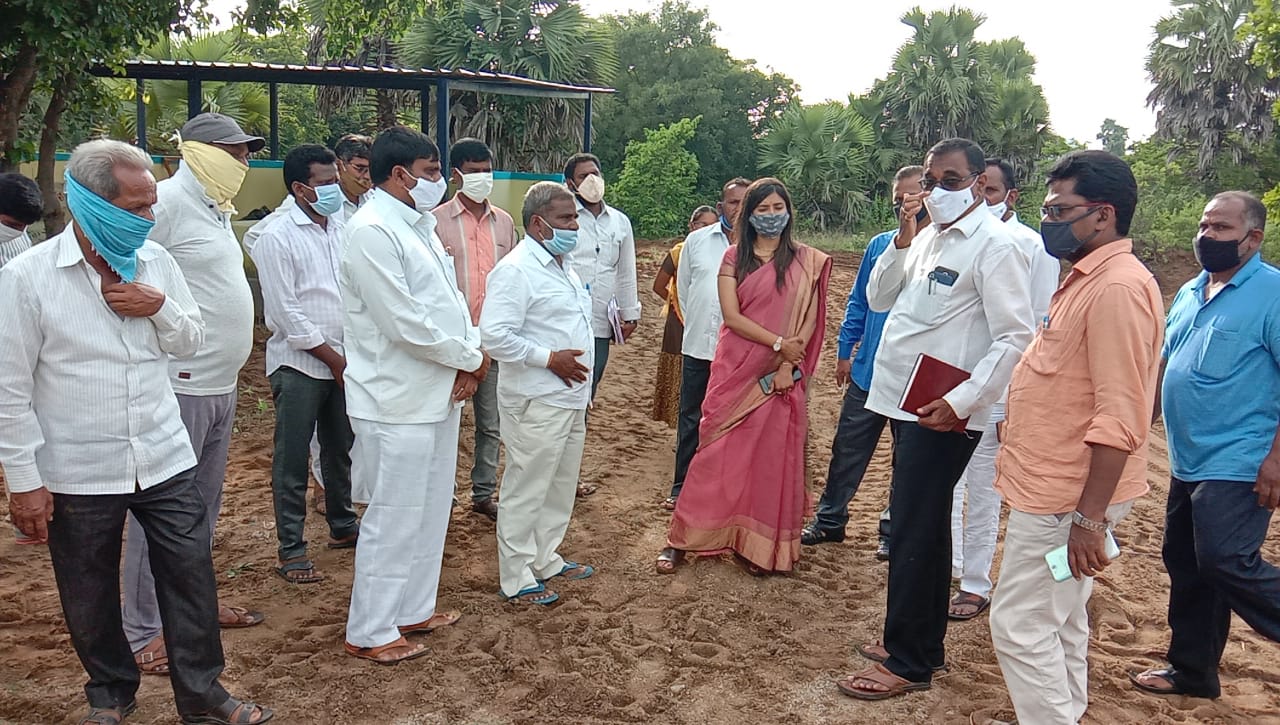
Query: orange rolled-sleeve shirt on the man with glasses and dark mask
1089, 379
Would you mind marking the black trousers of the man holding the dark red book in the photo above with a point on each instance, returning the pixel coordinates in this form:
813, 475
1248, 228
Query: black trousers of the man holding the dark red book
926, 471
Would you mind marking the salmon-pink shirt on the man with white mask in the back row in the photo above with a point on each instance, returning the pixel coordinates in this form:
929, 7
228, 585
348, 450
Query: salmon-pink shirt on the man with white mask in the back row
476, 244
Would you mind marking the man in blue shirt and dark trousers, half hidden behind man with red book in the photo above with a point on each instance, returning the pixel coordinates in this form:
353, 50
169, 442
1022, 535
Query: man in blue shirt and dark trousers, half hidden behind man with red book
860, 430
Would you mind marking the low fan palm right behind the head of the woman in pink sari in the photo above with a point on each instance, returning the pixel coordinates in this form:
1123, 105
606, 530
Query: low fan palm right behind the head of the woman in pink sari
824, 154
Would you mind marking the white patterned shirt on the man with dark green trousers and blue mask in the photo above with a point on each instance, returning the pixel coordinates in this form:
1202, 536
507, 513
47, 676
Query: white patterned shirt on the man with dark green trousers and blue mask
298, 267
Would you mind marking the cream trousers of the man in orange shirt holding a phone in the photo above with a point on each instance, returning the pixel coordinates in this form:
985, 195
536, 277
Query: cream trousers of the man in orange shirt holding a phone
1040, 627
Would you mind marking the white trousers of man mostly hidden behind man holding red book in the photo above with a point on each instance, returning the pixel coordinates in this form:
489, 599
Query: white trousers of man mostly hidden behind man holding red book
975, 528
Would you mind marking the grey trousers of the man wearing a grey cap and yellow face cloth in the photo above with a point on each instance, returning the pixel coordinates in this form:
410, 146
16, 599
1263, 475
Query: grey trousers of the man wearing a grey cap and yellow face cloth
209, 421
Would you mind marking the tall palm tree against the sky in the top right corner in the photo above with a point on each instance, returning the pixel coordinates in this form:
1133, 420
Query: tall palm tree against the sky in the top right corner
1208, 92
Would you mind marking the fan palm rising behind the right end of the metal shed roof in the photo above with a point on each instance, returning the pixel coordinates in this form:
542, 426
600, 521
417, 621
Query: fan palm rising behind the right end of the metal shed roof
551, 40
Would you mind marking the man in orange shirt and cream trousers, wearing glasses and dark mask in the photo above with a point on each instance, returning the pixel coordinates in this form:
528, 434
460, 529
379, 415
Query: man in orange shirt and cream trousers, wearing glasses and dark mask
1069, 477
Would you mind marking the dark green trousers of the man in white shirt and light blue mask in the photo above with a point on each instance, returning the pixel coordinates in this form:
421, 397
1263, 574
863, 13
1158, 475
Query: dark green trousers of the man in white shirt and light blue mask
305, 404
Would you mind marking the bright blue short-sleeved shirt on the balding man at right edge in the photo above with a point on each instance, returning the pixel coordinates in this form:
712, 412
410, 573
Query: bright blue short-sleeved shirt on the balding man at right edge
1222, 394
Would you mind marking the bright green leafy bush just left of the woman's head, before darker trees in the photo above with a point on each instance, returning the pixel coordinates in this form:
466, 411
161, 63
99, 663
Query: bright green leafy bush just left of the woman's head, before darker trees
659, 179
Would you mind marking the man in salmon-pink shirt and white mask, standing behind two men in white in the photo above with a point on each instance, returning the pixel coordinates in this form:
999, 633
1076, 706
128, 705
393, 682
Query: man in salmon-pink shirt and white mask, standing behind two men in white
477, 234
